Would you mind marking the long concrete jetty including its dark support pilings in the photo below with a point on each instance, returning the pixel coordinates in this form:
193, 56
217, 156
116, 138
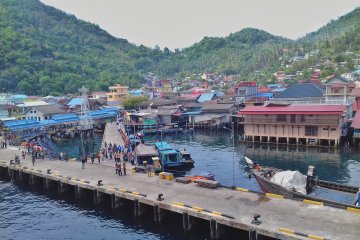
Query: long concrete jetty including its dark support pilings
222, 208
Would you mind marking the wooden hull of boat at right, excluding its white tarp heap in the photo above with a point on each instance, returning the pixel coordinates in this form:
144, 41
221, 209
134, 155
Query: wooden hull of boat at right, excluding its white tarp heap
314, 187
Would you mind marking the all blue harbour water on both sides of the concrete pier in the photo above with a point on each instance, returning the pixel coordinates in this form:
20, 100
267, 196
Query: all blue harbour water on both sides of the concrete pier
34, 215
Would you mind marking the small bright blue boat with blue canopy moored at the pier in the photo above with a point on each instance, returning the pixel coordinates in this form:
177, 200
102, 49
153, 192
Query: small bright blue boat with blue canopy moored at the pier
169, 157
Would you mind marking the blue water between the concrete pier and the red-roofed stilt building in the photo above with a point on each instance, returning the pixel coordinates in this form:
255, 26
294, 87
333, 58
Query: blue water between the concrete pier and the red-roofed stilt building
212, 151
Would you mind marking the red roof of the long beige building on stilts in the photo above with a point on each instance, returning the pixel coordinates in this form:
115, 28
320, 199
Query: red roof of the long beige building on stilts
294, 109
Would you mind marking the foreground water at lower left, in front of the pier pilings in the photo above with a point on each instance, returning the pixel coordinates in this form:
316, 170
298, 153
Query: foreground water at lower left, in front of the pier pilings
30, 212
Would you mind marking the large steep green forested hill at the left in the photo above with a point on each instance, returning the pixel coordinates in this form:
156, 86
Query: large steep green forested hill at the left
46, 51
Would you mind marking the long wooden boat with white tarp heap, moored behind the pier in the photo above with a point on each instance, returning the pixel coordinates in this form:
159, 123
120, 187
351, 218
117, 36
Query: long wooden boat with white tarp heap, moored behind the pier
293, 184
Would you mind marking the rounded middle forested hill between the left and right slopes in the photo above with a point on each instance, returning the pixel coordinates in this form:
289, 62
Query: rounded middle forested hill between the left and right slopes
242, 52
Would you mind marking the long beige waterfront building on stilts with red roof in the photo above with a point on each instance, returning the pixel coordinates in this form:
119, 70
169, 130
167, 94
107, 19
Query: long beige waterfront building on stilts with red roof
294, 124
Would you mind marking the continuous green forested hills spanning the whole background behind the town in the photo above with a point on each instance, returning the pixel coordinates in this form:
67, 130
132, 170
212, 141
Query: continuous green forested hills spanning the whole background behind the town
46, 51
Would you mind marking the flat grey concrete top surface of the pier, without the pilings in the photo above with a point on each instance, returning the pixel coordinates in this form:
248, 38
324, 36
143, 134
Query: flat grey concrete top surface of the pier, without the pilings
325, 222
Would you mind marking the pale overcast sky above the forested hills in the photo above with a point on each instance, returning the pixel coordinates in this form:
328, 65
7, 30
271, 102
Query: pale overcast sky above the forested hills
181, 23
